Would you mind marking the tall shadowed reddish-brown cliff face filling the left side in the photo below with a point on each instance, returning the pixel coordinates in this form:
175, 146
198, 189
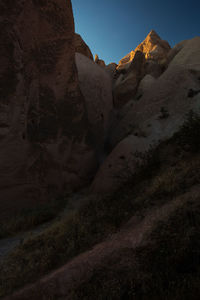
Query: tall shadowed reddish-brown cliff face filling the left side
43, 125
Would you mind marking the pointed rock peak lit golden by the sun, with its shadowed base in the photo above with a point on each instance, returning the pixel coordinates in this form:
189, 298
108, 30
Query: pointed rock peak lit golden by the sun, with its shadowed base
150, 57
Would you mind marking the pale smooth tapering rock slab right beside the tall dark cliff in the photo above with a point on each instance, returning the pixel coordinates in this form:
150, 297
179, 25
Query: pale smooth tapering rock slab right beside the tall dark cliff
96, 86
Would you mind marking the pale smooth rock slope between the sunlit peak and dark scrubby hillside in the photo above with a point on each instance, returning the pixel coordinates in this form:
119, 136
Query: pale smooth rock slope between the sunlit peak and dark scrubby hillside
155, 116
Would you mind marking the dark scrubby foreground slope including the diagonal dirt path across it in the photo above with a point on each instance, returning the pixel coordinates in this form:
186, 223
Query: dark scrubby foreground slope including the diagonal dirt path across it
140, 247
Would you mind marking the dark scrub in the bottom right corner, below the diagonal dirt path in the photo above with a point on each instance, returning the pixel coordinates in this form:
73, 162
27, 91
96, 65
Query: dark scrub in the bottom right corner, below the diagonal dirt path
167, 268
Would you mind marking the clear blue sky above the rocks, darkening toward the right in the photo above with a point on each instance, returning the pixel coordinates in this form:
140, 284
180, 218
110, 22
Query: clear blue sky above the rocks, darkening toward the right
112, 28
